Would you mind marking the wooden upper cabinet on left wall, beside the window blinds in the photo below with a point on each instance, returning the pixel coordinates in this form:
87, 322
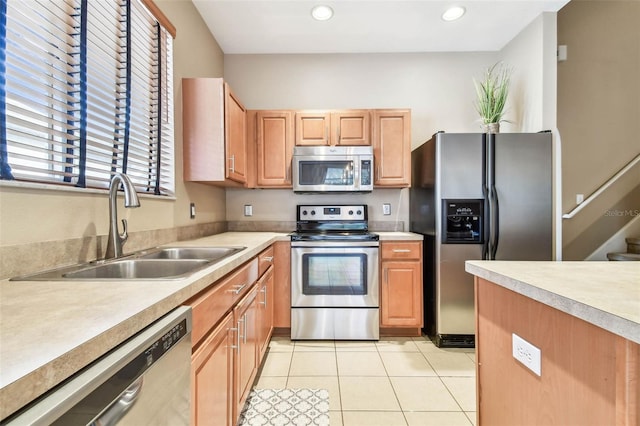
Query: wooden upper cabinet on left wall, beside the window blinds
214, 133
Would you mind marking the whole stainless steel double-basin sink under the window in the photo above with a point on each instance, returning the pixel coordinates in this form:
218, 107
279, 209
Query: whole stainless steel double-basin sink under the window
161, 263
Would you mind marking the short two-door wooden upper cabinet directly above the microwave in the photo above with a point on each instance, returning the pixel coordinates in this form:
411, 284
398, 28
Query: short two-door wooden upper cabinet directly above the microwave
350, 127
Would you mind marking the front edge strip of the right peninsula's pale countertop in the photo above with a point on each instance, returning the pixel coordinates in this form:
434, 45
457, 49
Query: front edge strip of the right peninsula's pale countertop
606, 320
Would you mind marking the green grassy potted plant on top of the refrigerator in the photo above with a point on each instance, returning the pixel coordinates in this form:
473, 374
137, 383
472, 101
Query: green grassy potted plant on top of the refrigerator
492, 91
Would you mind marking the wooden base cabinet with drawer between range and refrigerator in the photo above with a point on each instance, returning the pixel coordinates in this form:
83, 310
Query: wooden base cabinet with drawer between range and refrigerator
401, 284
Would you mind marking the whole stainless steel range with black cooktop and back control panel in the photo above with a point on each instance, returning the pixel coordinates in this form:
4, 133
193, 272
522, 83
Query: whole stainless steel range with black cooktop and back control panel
334, 274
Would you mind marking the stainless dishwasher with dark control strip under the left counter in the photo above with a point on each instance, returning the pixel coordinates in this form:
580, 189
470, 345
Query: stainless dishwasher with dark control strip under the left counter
144, 381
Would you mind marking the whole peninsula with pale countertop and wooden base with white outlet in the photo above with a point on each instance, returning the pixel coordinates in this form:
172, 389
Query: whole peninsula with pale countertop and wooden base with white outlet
583, 317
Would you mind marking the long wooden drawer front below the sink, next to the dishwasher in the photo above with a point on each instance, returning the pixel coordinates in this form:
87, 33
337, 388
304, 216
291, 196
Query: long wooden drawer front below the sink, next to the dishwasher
209, 307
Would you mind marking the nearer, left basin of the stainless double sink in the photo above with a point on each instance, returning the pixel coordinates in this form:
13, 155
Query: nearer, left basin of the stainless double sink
137, 269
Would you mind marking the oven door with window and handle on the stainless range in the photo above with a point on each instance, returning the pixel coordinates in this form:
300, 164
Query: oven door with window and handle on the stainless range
334, 274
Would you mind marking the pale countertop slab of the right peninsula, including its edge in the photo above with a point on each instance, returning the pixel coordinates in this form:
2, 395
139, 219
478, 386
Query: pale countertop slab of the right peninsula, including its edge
605, 294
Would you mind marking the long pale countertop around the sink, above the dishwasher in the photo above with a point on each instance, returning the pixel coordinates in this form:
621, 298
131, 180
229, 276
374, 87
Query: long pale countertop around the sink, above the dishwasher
51, 329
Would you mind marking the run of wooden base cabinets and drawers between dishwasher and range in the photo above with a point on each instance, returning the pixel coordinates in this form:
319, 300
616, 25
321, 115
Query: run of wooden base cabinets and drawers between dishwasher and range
232, 326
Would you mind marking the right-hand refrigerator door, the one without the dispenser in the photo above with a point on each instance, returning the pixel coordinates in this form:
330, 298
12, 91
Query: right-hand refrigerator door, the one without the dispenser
523, 184
